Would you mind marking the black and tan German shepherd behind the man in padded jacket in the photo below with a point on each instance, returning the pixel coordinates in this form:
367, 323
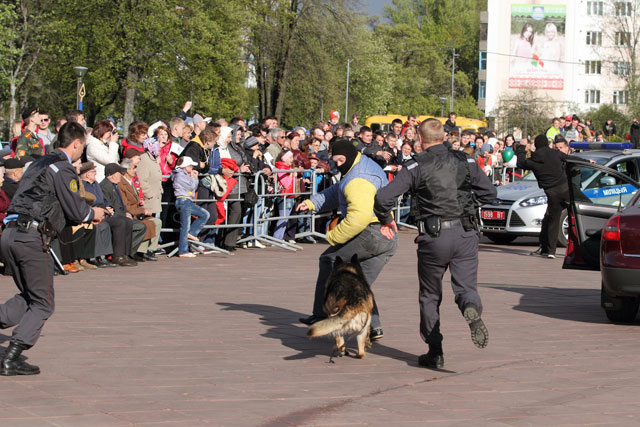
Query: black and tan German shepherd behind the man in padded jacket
348, 304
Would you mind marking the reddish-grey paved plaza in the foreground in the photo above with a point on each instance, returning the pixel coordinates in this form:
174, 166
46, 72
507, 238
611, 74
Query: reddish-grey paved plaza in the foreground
216, 341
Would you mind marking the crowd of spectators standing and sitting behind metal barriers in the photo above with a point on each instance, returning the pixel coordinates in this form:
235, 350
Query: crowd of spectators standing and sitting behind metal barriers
189, 174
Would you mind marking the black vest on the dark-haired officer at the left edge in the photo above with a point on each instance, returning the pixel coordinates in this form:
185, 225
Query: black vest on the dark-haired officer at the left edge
36, 196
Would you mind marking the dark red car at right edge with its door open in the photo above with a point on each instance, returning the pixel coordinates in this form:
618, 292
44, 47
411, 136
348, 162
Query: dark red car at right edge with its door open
605, 234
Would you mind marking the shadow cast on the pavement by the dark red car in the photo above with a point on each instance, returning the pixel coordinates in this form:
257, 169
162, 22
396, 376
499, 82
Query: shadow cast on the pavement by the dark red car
580, 305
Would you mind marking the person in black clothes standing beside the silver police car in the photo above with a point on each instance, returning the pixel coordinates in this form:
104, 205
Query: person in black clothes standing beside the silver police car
546, 164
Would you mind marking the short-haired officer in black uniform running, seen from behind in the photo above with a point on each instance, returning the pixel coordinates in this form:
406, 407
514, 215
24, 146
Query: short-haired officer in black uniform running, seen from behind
446, 187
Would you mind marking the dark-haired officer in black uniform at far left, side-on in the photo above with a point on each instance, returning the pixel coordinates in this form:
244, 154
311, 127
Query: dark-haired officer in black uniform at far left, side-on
47, 199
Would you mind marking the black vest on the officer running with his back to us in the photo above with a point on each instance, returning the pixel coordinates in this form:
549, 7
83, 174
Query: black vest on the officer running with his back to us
445, 186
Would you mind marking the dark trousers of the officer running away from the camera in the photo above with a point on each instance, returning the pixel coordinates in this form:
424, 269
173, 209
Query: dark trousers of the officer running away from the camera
454, 249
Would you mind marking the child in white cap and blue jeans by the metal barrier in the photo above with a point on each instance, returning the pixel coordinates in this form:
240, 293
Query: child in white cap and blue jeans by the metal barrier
185, 183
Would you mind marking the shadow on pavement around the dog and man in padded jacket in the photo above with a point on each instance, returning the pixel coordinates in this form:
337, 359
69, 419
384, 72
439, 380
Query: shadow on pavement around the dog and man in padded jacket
283, 325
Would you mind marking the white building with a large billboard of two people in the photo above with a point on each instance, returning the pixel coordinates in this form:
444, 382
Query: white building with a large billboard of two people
574, 54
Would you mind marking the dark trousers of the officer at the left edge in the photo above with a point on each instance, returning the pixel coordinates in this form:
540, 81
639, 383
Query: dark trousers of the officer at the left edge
32, 270
